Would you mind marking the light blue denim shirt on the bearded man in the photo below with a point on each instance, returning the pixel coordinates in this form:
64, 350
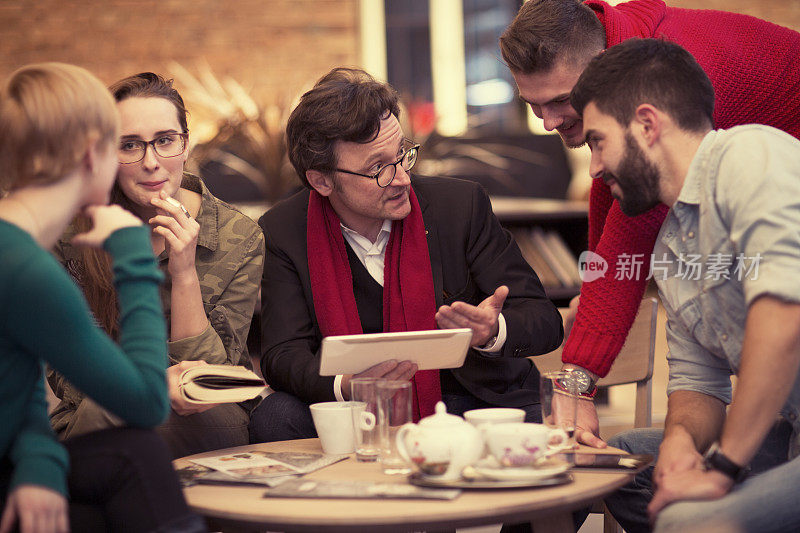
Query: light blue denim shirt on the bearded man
732, 236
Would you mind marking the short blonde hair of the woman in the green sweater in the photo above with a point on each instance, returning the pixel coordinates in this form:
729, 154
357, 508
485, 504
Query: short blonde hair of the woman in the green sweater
49, 114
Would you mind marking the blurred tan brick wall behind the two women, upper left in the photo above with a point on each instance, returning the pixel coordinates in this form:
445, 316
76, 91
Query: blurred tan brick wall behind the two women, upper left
274, 46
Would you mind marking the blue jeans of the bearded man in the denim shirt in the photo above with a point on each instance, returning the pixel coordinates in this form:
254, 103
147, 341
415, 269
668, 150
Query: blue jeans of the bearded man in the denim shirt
767, 501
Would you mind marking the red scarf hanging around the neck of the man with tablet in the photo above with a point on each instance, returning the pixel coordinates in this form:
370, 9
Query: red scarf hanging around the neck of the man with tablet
408, 299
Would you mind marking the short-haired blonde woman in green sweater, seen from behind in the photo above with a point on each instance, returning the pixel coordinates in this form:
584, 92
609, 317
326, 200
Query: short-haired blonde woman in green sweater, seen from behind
58, 135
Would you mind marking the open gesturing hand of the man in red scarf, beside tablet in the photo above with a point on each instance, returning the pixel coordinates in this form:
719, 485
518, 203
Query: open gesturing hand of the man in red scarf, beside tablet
481, 319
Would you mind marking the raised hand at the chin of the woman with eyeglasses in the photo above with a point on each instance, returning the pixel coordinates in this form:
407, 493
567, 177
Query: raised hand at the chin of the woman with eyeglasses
180, 235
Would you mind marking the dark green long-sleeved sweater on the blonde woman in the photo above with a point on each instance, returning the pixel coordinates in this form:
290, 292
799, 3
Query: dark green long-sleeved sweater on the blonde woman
44, 318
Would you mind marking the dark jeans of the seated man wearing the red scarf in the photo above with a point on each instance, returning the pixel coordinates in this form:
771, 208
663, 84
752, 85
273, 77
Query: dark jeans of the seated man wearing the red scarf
281, 416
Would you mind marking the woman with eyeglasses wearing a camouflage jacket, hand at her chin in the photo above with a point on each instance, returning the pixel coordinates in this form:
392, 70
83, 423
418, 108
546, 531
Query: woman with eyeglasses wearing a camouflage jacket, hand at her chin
211, 254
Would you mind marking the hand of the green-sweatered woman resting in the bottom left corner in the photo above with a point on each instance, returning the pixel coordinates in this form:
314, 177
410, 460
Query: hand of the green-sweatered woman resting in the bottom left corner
35, 509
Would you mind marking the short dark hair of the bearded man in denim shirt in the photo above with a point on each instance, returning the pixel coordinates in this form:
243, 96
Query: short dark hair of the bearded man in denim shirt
652, 71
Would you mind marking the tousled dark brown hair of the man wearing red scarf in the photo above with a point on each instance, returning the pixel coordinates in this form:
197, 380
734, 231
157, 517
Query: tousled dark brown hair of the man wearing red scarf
346, 104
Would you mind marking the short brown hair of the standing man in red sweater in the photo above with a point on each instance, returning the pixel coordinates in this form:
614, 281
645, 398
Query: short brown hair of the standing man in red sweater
546, 30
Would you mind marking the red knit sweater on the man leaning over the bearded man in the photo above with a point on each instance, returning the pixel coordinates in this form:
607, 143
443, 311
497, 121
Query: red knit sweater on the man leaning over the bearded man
755, 69
